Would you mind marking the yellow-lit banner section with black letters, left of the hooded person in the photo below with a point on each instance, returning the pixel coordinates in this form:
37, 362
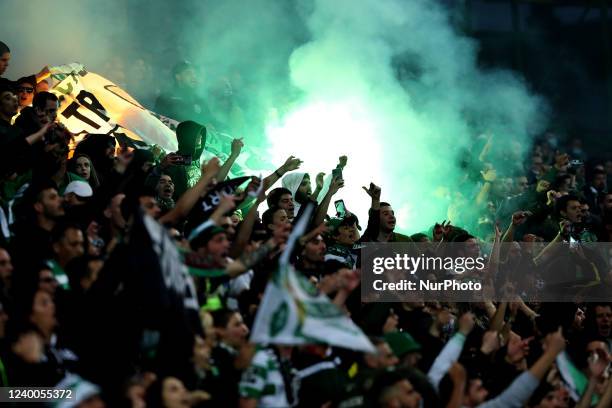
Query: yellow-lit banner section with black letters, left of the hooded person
90, 103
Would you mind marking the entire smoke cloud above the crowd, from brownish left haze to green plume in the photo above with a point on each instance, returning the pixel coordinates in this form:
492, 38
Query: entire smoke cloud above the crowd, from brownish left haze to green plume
390, 83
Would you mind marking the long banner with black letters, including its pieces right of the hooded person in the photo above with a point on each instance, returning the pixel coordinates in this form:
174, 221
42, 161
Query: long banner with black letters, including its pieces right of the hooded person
90, 103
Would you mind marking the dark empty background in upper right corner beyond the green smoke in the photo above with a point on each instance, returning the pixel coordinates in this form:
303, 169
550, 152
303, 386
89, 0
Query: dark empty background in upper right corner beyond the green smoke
562, 48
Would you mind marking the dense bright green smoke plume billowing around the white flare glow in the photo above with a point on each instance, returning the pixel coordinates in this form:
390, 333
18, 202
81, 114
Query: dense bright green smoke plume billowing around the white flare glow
417, 97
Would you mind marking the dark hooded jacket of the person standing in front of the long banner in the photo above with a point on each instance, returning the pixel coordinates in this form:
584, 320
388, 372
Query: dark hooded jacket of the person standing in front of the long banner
187, 134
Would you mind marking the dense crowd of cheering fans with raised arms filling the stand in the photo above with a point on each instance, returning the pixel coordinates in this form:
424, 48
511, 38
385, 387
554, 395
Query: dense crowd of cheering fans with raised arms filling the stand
92, 299
